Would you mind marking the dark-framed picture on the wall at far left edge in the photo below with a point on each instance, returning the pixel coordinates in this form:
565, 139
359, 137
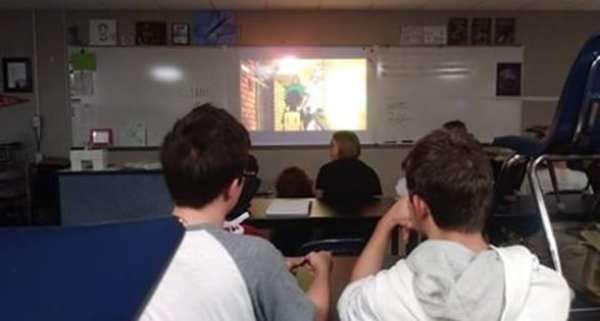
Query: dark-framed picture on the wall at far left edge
17, 75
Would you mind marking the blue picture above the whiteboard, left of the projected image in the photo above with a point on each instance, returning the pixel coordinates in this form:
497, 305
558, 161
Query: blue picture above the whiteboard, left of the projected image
214, 27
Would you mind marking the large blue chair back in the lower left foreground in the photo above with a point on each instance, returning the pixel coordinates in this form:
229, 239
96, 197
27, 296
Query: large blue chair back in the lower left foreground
103, 272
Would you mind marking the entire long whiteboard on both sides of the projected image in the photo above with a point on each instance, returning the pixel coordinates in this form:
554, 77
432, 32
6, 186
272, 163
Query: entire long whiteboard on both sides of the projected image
411, 91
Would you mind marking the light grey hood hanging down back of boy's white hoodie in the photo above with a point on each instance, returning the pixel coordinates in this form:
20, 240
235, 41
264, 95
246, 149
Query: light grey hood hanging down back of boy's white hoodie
451, 282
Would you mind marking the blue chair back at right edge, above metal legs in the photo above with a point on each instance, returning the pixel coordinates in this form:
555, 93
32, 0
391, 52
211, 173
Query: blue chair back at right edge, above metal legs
568, 115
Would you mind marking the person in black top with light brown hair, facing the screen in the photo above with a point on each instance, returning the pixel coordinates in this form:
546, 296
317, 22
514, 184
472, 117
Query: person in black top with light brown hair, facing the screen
346, 178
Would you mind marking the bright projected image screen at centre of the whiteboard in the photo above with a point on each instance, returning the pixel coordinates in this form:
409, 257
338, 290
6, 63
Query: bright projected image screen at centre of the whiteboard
302, 96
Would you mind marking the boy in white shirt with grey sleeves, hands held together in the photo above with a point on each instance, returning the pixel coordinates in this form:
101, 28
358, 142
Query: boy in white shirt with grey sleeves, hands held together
216, 275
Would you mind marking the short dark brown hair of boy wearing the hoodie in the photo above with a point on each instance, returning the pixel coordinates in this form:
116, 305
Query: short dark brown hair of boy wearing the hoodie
452, 173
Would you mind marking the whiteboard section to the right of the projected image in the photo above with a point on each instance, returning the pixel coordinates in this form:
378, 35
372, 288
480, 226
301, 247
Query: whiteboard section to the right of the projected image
419, 89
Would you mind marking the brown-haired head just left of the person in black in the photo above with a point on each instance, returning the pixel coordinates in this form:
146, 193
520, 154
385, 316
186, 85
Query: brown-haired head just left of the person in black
293, 182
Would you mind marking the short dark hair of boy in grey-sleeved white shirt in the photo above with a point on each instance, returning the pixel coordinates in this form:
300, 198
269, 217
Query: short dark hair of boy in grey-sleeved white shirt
203, 153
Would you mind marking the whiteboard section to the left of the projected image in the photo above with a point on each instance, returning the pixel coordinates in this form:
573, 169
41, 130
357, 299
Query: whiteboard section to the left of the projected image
153, 86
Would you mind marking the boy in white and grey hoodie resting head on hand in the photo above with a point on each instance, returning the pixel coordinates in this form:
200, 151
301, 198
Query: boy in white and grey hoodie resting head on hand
455, 275
